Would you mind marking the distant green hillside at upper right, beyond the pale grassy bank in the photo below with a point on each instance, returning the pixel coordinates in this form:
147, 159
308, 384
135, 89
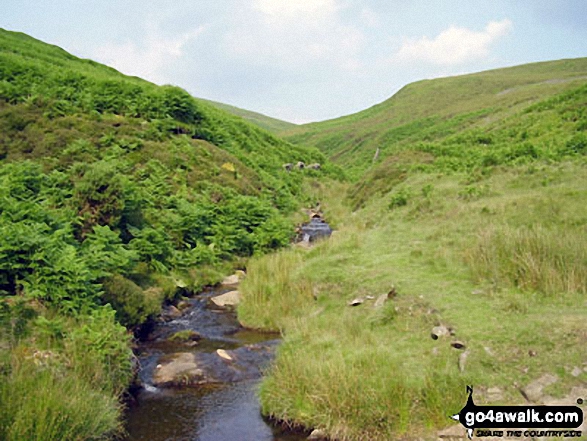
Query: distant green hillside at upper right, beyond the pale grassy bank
478, 115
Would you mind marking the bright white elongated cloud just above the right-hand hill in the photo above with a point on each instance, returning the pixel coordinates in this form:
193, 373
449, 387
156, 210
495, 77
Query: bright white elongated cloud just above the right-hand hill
454, 45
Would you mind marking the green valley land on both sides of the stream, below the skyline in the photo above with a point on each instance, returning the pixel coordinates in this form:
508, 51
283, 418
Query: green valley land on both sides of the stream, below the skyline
457, 257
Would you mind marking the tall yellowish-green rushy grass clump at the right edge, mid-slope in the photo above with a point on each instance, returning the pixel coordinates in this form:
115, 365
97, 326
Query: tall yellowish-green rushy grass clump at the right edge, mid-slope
535, 258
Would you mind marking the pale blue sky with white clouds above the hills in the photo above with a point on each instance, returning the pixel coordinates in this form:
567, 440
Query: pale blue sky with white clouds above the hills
304, 60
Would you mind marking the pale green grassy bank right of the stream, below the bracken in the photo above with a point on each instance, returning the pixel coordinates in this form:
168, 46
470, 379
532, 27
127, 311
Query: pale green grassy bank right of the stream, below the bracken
502, 263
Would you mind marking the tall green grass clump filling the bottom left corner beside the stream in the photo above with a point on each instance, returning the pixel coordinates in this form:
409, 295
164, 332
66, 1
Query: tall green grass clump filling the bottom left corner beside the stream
39, 402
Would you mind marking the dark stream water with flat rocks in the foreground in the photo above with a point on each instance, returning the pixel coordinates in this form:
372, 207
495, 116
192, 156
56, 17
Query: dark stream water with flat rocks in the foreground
222, 405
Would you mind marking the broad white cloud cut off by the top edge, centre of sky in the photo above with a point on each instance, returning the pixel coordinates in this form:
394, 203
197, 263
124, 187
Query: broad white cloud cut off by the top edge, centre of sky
295, 35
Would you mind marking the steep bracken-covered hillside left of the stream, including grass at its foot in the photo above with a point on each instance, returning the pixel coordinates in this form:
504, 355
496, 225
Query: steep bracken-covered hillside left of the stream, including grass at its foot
116, 195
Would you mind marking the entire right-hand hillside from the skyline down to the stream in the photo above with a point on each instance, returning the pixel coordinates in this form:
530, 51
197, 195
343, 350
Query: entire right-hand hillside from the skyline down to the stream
468, 228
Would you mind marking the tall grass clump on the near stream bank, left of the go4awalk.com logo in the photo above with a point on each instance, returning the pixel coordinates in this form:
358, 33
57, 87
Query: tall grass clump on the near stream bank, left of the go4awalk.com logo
361, 394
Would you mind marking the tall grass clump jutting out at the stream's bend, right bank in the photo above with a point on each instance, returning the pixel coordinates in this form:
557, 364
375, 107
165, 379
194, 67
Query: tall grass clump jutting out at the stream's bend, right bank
273, 292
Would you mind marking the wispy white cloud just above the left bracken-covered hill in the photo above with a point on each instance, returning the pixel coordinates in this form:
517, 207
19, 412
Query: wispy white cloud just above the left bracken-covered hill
149, 59
